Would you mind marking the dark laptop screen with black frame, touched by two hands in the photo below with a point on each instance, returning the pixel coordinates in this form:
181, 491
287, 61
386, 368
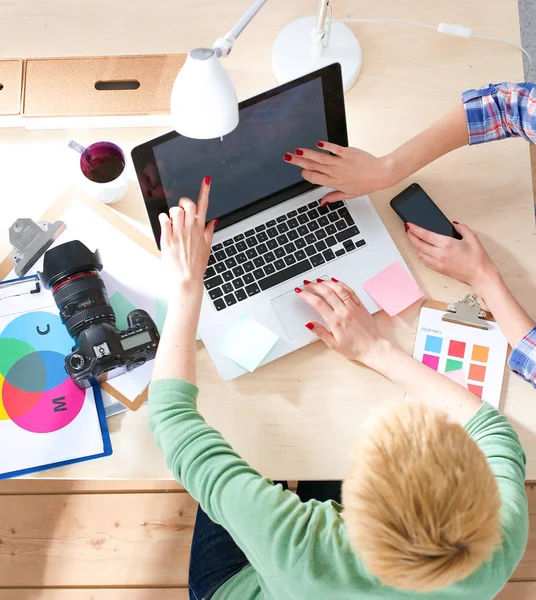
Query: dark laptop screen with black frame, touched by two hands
246, 167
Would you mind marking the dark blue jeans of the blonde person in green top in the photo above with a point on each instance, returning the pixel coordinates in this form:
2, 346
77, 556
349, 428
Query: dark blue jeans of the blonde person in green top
215, 558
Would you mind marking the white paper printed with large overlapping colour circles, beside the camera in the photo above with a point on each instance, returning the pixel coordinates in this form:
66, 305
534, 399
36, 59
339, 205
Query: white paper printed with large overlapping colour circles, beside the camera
80, 436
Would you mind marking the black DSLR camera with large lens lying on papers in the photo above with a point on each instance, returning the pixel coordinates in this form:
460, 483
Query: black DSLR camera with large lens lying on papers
101, 350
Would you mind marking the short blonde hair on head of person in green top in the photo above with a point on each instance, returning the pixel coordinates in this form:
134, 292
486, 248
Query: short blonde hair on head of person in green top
421, 503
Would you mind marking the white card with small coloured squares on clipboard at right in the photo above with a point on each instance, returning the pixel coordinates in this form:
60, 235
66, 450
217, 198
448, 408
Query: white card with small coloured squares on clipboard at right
471, 357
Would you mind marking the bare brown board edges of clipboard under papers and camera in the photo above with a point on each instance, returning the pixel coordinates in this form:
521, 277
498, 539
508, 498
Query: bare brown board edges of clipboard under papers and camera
73, 195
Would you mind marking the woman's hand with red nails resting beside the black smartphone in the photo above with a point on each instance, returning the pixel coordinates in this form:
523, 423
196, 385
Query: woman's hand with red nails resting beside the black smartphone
465, 260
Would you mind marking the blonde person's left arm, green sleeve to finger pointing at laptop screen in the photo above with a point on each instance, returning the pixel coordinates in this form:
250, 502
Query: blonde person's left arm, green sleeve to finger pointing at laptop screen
272, 527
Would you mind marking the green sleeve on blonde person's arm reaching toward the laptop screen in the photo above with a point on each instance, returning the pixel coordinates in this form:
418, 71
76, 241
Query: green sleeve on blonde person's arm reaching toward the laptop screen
269, 525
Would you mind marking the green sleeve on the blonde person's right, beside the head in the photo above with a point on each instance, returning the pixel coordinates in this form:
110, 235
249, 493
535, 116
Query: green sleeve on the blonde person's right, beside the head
500, 444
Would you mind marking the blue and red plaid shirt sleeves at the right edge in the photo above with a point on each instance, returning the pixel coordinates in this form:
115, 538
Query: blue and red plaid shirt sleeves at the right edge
493, 113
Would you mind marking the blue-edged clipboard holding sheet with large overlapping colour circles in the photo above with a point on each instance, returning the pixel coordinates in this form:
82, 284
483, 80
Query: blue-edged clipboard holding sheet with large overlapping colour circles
40, 412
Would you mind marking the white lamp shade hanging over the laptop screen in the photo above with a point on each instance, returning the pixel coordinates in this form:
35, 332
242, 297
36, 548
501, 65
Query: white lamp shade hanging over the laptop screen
203, 99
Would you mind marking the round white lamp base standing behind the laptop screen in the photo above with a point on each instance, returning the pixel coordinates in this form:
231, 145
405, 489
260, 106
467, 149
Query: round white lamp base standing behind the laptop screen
292, 58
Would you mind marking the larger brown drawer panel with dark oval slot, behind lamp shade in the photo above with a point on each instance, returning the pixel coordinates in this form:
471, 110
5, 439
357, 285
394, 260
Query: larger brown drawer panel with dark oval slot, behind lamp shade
68, 86
